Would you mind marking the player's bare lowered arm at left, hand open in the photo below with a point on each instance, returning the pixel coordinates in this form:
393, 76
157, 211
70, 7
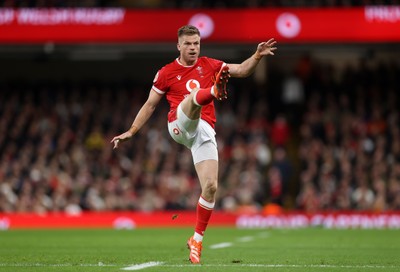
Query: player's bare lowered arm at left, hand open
141, 118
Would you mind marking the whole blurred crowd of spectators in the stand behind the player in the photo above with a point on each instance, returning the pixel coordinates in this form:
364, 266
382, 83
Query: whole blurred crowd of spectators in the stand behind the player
318, 139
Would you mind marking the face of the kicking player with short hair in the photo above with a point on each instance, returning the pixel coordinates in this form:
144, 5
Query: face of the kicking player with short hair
189, 47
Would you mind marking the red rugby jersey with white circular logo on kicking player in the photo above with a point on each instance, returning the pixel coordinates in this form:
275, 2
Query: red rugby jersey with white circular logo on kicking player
176, 81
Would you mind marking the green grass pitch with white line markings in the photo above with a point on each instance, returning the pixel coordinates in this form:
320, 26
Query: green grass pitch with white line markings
225, 249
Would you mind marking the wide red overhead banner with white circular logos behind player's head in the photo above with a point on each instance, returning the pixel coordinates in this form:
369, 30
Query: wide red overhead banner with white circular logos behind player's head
115, 25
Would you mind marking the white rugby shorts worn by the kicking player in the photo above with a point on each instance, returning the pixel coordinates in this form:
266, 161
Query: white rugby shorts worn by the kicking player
197, 135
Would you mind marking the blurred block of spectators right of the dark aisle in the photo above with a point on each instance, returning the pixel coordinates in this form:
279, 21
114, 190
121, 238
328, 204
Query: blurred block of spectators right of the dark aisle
350, 140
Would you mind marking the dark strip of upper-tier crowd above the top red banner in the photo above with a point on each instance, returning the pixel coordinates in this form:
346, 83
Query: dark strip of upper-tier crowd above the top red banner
185, 4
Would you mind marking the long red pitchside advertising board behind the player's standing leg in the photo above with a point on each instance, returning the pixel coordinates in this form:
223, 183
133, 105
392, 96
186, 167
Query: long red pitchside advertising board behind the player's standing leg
132, 220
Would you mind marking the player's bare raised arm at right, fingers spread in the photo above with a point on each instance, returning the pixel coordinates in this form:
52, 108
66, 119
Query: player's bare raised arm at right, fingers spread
248, 66
